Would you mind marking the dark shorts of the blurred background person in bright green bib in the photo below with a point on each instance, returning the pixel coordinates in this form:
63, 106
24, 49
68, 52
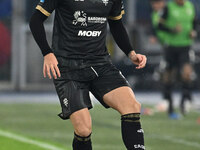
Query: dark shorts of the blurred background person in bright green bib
176, 57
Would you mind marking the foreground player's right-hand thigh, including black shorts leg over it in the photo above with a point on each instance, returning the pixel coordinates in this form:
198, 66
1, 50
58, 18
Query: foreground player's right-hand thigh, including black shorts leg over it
113, 90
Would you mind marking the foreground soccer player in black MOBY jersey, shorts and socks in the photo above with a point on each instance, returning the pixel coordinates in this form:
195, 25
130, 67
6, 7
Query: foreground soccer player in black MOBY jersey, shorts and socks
79, 63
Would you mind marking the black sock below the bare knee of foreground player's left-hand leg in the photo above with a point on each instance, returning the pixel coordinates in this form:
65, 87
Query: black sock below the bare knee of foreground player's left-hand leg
82, 143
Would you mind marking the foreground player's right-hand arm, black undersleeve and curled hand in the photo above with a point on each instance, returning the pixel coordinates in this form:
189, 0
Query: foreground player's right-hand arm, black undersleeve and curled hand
121, 37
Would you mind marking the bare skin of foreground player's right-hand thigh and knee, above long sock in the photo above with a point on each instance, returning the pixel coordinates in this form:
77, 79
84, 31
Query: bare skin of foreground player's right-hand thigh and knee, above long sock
123, 100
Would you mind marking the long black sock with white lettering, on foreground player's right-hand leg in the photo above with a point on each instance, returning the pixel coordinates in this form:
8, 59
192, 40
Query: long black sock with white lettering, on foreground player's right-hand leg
132, 133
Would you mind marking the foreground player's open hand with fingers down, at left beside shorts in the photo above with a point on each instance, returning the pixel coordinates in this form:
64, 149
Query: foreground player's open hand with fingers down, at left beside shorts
51, 66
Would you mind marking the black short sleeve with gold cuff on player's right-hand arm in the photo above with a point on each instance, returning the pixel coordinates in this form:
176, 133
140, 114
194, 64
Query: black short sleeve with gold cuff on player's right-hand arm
117, 10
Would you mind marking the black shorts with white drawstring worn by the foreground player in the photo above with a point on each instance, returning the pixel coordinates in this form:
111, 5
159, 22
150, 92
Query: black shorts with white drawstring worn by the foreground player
78, 79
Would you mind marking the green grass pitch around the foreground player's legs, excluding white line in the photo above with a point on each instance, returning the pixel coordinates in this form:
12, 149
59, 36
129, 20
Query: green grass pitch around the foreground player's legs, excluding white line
39, 122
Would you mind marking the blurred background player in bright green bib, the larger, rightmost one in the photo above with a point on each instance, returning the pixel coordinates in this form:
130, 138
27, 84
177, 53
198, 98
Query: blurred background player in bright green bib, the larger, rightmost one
178, 22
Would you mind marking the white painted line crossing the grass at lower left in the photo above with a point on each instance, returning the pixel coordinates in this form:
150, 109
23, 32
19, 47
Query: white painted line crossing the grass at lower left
29, 141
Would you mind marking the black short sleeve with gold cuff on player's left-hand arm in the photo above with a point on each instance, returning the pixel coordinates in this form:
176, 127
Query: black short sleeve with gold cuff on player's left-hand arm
47, 6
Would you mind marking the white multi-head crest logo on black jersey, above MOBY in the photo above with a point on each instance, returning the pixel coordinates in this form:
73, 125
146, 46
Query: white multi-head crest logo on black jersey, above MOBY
80, 17
